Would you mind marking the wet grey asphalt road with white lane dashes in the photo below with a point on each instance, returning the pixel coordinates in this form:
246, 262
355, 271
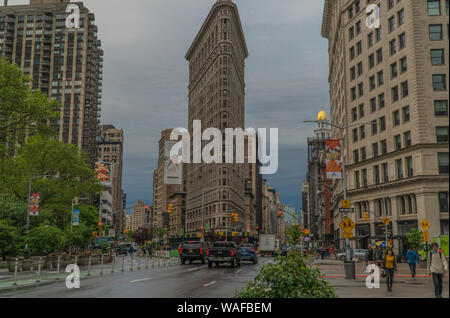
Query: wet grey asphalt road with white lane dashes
176, 281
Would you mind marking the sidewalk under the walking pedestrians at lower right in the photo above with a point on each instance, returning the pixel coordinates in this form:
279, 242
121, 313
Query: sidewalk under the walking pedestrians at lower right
404, 286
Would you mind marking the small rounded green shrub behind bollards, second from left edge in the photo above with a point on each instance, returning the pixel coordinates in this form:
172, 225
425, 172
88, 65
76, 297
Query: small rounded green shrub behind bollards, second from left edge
44, 239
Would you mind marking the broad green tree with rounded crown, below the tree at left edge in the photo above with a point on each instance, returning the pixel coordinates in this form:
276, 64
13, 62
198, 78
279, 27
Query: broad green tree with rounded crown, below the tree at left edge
42, 156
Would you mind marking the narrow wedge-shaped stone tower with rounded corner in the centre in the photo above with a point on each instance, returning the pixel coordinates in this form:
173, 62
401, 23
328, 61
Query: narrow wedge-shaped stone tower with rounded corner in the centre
216, 97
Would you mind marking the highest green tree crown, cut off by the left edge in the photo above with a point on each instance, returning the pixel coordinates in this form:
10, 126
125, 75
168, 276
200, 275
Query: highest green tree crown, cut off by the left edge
23, 111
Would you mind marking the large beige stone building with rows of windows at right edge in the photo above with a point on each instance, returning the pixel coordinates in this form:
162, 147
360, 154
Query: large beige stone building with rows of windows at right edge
389, 89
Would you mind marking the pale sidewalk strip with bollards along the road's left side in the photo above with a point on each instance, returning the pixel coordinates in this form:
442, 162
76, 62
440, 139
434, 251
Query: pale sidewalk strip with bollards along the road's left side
30, 278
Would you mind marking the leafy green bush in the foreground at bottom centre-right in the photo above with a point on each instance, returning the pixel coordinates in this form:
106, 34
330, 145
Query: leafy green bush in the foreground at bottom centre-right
289, 277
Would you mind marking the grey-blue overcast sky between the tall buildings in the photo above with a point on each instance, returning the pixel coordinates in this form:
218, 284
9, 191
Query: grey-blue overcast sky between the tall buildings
145, 78
